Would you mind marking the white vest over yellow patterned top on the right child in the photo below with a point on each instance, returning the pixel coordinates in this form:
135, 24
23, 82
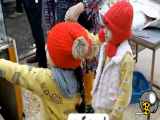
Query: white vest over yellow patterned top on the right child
113, 84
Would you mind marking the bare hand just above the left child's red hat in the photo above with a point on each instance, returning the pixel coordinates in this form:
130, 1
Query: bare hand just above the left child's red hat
74, 12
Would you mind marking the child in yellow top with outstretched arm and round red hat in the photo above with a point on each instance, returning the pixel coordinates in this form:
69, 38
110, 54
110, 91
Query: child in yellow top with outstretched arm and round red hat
59, 87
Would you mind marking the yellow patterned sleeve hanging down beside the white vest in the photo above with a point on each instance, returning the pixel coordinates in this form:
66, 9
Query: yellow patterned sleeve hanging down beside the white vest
126, 75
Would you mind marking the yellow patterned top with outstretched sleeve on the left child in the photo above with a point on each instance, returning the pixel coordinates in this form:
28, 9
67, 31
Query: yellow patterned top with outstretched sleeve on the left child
41, 82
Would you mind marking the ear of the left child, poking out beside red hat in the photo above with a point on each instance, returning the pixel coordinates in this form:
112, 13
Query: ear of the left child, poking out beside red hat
80, 48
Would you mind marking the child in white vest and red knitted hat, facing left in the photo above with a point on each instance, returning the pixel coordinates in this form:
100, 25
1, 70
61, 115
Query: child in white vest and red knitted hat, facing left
112, 87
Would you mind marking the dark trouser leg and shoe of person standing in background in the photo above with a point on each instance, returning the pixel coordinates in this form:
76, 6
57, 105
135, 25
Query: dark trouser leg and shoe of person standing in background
33, 10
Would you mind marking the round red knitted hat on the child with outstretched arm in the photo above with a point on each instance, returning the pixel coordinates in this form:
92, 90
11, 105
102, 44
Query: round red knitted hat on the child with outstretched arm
60, 41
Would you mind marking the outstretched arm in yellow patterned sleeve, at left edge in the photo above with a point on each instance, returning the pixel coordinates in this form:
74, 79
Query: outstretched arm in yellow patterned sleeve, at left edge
23, 75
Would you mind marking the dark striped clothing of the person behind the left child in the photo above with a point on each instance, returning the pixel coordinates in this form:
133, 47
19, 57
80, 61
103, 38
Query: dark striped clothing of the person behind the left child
54, 10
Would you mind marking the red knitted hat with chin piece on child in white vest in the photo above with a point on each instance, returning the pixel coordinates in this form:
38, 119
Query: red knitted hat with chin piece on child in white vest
119, 20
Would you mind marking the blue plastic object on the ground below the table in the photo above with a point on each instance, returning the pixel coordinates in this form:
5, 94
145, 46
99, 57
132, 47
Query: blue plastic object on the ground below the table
139, 85
